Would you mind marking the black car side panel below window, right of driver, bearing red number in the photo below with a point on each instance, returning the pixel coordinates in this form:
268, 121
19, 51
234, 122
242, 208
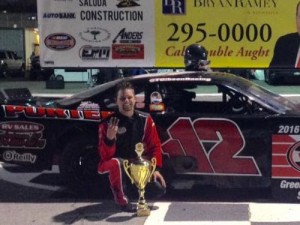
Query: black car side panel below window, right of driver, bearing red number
247, 151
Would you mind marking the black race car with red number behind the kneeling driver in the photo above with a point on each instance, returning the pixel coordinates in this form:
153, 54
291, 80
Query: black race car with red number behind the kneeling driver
239, 136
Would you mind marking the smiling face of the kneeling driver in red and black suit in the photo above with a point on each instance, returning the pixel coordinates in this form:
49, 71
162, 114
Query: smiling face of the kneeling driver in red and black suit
126, 101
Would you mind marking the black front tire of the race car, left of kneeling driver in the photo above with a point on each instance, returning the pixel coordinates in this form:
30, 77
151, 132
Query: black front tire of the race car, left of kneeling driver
78, 167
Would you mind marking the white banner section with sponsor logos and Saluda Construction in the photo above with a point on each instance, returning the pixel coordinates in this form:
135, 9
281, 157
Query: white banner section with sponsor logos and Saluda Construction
96, 33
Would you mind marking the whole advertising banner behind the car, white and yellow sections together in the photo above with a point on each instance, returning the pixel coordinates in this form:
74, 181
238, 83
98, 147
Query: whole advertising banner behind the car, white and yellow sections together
143, 33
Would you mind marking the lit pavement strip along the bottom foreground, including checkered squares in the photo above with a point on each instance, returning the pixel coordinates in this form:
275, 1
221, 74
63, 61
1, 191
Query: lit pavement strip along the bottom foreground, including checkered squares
166, 213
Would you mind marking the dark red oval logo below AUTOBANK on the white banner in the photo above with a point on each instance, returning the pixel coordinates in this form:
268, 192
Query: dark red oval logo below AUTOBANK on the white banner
60, 41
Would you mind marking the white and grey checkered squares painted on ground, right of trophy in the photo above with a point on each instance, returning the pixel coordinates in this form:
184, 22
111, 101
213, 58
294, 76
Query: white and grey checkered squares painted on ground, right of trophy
189, 213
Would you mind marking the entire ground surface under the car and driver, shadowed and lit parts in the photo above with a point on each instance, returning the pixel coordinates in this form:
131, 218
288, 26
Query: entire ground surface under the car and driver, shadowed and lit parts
27, 198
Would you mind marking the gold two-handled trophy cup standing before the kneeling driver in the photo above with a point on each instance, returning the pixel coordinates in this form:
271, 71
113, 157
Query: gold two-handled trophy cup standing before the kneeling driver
140, 172
